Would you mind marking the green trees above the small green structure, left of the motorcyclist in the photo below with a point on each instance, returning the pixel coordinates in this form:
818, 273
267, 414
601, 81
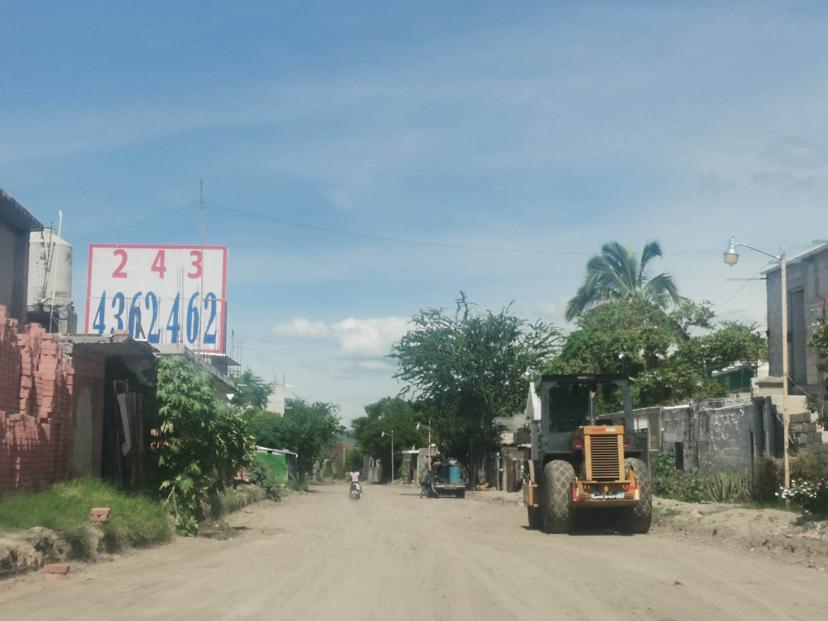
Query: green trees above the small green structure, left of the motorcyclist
308, 429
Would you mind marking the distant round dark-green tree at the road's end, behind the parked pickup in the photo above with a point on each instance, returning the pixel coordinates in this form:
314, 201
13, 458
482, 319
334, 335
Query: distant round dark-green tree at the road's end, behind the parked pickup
386, 415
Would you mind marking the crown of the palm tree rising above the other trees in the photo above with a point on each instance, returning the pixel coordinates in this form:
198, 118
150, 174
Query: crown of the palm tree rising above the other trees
617, 274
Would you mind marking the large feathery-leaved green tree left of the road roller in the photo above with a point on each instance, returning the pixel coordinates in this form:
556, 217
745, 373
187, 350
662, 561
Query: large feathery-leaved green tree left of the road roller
468, 367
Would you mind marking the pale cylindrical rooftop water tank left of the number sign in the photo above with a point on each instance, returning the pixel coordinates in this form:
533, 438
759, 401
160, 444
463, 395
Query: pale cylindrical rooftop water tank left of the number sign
50, 266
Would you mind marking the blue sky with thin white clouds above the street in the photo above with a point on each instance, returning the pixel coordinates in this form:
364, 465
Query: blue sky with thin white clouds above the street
365, 160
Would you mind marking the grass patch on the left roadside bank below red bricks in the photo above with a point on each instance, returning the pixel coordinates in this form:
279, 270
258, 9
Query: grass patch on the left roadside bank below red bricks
135, 521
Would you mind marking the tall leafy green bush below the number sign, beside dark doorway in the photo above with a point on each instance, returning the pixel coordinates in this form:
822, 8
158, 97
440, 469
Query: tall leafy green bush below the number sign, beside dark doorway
200, 443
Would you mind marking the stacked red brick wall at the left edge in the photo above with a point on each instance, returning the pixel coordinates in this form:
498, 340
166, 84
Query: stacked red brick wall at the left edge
35, 406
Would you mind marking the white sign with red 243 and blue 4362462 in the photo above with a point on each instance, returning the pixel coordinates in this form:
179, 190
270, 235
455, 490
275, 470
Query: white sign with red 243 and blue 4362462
162, 294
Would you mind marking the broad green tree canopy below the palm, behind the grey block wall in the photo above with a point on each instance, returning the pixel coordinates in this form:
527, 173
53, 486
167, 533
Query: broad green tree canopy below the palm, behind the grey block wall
667, 363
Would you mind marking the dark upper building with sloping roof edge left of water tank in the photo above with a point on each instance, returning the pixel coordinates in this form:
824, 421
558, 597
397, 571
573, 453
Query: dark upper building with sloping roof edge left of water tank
16, 224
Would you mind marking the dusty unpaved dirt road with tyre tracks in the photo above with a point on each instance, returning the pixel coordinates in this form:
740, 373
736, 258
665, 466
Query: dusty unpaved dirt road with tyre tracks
393, 556
